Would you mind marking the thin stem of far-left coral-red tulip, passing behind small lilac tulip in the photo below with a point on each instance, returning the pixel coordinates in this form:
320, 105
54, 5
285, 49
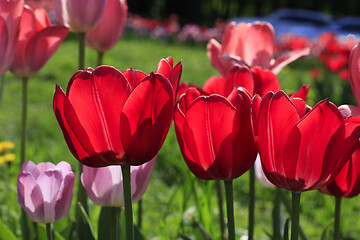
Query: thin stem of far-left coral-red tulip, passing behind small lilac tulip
24, 225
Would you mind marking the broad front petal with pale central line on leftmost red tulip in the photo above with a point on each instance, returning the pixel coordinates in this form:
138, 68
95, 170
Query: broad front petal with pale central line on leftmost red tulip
97, 99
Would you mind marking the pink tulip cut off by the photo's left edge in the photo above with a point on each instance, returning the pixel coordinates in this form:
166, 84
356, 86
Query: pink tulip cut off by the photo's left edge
10, 15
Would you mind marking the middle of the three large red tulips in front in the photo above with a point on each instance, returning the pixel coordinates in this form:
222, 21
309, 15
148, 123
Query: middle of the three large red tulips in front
214, 134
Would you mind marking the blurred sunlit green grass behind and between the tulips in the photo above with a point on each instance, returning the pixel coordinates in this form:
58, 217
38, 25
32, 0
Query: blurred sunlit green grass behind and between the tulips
175, 200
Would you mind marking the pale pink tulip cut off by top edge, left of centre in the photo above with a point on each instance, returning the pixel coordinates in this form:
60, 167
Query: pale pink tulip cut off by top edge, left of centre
79, 15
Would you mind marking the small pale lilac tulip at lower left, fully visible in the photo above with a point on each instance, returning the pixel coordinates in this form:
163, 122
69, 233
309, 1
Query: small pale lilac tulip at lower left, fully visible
45, 190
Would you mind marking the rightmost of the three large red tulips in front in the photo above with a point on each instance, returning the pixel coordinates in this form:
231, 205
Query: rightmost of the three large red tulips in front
301, 148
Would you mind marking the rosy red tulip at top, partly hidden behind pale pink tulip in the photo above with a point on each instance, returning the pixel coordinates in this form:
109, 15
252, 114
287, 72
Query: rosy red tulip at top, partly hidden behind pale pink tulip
107, 33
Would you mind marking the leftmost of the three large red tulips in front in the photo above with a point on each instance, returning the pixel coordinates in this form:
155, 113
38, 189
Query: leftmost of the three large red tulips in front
113, 118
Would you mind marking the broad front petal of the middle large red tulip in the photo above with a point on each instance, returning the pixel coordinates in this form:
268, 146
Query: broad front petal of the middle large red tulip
209, 147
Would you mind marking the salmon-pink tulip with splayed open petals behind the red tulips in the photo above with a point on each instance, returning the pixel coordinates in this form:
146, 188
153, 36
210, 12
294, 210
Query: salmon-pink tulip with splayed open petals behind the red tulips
251, 44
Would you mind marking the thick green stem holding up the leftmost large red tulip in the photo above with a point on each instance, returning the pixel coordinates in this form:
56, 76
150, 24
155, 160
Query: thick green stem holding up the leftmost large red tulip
128, 202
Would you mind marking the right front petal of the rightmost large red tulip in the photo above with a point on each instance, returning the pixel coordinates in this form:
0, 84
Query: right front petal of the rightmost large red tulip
315, 147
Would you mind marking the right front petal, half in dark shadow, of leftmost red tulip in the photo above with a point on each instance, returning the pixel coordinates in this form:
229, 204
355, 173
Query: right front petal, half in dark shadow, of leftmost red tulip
145, 119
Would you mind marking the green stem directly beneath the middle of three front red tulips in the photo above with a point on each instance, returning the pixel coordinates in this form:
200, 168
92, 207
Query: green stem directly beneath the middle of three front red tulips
230, 208
